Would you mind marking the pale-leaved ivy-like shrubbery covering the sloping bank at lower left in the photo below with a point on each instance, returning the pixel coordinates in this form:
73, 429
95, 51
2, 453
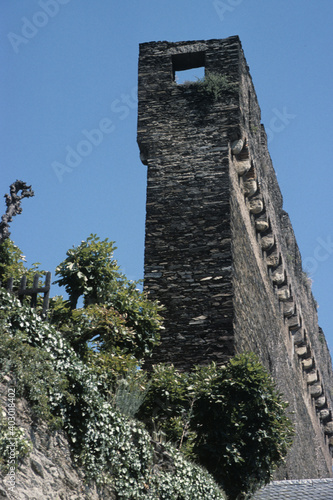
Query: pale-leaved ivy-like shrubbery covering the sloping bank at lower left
111, 447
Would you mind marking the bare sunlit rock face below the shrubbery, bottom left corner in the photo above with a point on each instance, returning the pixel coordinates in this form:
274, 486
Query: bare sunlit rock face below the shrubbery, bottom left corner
48, 472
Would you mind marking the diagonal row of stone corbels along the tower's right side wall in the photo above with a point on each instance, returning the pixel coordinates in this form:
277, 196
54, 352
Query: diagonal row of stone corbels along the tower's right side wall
277, 271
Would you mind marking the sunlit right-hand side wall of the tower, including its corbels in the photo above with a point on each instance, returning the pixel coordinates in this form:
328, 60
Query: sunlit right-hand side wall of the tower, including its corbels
274, 310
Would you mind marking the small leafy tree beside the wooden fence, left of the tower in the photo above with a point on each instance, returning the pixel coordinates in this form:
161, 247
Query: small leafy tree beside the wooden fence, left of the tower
117, 318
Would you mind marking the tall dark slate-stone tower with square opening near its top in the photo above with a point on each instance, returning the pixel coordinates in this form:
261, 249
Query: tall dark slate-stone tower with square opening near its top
220, 251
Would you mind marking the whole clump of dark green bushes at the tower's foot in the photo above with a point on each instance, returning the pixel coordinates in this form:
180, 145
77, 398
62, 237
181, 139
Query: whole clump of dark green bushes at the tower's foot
229, 419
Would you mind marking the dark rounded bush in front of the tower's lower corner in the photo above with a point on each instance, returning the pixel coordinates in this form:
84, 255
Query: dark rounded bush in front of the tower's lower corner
240, 412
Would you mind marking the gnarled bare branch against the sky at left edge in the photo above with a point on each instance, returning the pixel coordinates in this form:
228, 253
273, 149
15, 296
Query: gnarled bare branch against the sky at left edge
13, 202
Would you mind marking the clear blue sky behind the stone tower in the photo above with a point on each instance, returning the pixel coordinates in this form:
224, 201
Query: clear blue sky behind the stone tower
70, 66
